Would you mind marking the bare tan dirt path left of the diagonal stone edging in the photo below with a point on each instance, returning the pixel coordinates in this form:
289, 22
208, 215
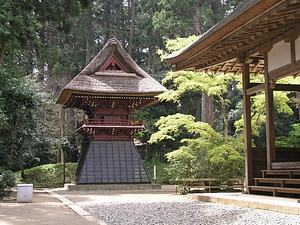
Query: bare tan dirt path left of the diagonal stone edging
45, 209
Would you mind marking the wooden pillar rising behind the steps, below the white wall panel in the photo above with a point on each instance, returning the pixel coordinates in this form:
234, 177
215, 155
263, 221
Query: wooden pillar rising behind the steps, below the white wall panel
270, 123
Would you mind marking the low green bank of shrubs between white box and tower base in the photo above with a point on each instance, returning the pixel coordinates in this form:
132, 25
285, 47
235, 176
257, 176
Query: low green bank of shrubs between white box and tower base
49, 175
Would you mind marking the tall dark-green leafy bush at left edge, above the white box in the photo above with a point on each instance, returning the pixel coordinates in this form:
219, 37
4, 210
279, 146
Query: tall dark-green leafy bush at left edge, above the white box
19, 107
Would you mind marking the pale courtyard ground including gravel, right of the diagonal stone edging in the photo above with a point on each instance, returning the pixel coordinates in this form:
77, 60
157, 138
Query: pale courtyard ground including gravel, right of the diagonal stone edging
169, 209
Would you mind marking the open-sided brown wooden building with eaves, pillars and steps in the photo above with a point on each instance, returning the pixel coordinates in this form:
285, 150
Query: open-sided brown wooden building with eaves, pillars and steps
259, 37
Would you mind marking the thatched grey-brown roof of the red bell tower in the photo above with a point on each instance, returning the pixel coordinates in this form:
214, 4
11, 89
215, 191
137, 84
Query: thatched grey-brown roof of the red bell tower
111, 73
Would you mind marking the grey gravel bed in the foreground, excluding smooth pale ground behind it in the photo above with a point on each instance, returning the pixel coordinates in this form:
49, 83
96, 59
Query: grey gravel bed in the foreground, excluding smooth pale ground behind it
181, 213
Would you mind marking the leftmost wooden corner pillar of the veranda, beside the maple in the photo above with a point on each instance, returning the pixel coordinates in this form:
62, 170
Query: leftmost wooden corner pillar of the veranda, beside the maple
247, 128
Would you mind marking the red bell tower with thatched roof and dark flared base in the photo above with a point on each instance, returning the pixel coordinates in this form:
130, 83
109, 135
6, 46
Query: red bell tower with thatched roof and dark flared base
108, 90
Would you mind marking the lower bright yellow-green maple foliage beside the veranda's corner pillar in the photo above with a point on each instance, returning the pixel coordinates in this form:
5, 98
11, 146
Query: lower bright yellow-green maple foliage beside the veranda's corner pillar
202, 152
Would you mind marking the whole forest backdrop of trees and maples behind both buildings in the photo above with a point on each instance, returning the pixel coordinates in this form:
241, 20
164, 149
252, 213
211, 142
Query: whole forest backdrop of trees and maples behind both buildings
197, 127
